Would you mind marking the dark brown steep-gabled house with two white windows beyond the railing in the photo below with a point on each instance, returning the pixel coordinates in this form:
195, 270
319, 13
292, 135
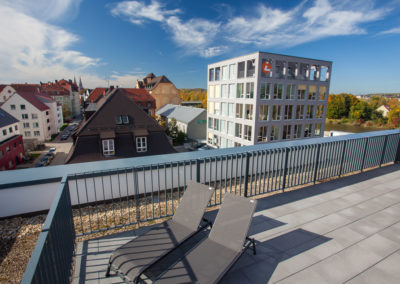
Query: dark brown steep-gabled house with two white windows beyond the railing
118, 129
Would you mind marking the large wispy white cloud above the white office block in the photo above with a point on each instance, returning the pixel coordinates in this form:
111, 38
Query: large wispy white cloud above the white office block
275, 27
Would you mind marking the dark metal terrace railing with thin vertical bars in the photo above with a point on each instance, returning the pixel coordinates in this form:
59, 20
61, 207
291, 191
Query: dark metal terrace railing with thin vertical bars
102, 200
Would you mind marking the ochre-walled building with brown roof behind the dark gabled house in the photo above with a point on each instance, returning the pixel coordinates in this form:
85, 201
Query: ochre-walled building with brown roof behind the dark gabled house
161, 89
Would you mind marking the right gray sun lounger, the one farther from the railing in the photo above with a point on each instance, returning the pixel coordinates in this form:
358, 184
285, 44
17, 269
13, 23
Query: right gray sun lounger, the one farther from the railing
211, 259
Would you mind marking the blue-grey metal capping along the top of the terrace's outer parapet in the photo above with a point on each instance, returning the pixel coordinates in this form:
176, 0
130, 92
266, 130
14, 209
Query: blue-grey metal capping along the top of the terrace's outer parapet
25, 177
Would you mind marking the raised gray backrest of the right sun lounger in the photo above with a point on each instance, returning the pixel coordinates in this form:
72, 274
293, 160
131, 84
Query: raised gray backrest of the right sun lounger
233, 221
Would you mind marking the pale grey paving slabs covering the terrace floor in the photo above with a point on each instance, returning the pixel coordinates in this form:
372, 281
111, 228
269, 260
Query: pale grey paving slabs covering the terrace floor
346, 230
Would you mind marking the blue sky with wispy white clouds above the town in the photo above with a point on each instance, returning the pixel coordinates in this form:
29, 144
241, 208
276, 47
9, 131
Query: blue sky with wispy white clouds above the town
116, 42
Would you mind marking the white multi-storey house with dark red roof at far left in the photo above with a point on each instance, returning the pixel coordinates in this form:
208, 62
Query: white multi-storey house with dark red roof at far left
37, 114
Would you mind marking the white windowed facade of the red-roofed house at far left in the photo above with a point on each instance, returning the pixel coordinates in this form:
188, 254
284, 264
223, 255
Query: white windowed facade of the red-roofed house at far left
33, 123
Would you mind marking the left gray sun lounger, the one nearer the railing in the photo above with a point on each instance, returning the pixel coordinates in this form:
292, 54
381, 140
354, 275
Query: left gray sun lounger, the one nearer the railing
132, 259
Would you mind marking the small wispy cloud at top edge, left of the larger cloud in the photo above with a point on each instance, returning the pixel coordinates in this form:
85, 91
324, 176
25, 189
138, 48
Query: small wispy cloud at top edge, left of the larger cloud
138, 12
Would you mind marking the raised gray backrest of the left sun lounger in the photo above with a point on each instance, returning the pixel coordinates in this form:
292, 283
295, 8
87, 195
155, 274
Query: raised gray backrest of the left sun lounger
192, 205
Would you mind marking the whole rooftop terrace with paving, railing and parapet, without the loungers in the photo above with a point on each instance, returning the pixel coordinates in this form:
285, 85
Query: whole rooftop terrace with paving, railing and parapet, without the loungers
330, 230
